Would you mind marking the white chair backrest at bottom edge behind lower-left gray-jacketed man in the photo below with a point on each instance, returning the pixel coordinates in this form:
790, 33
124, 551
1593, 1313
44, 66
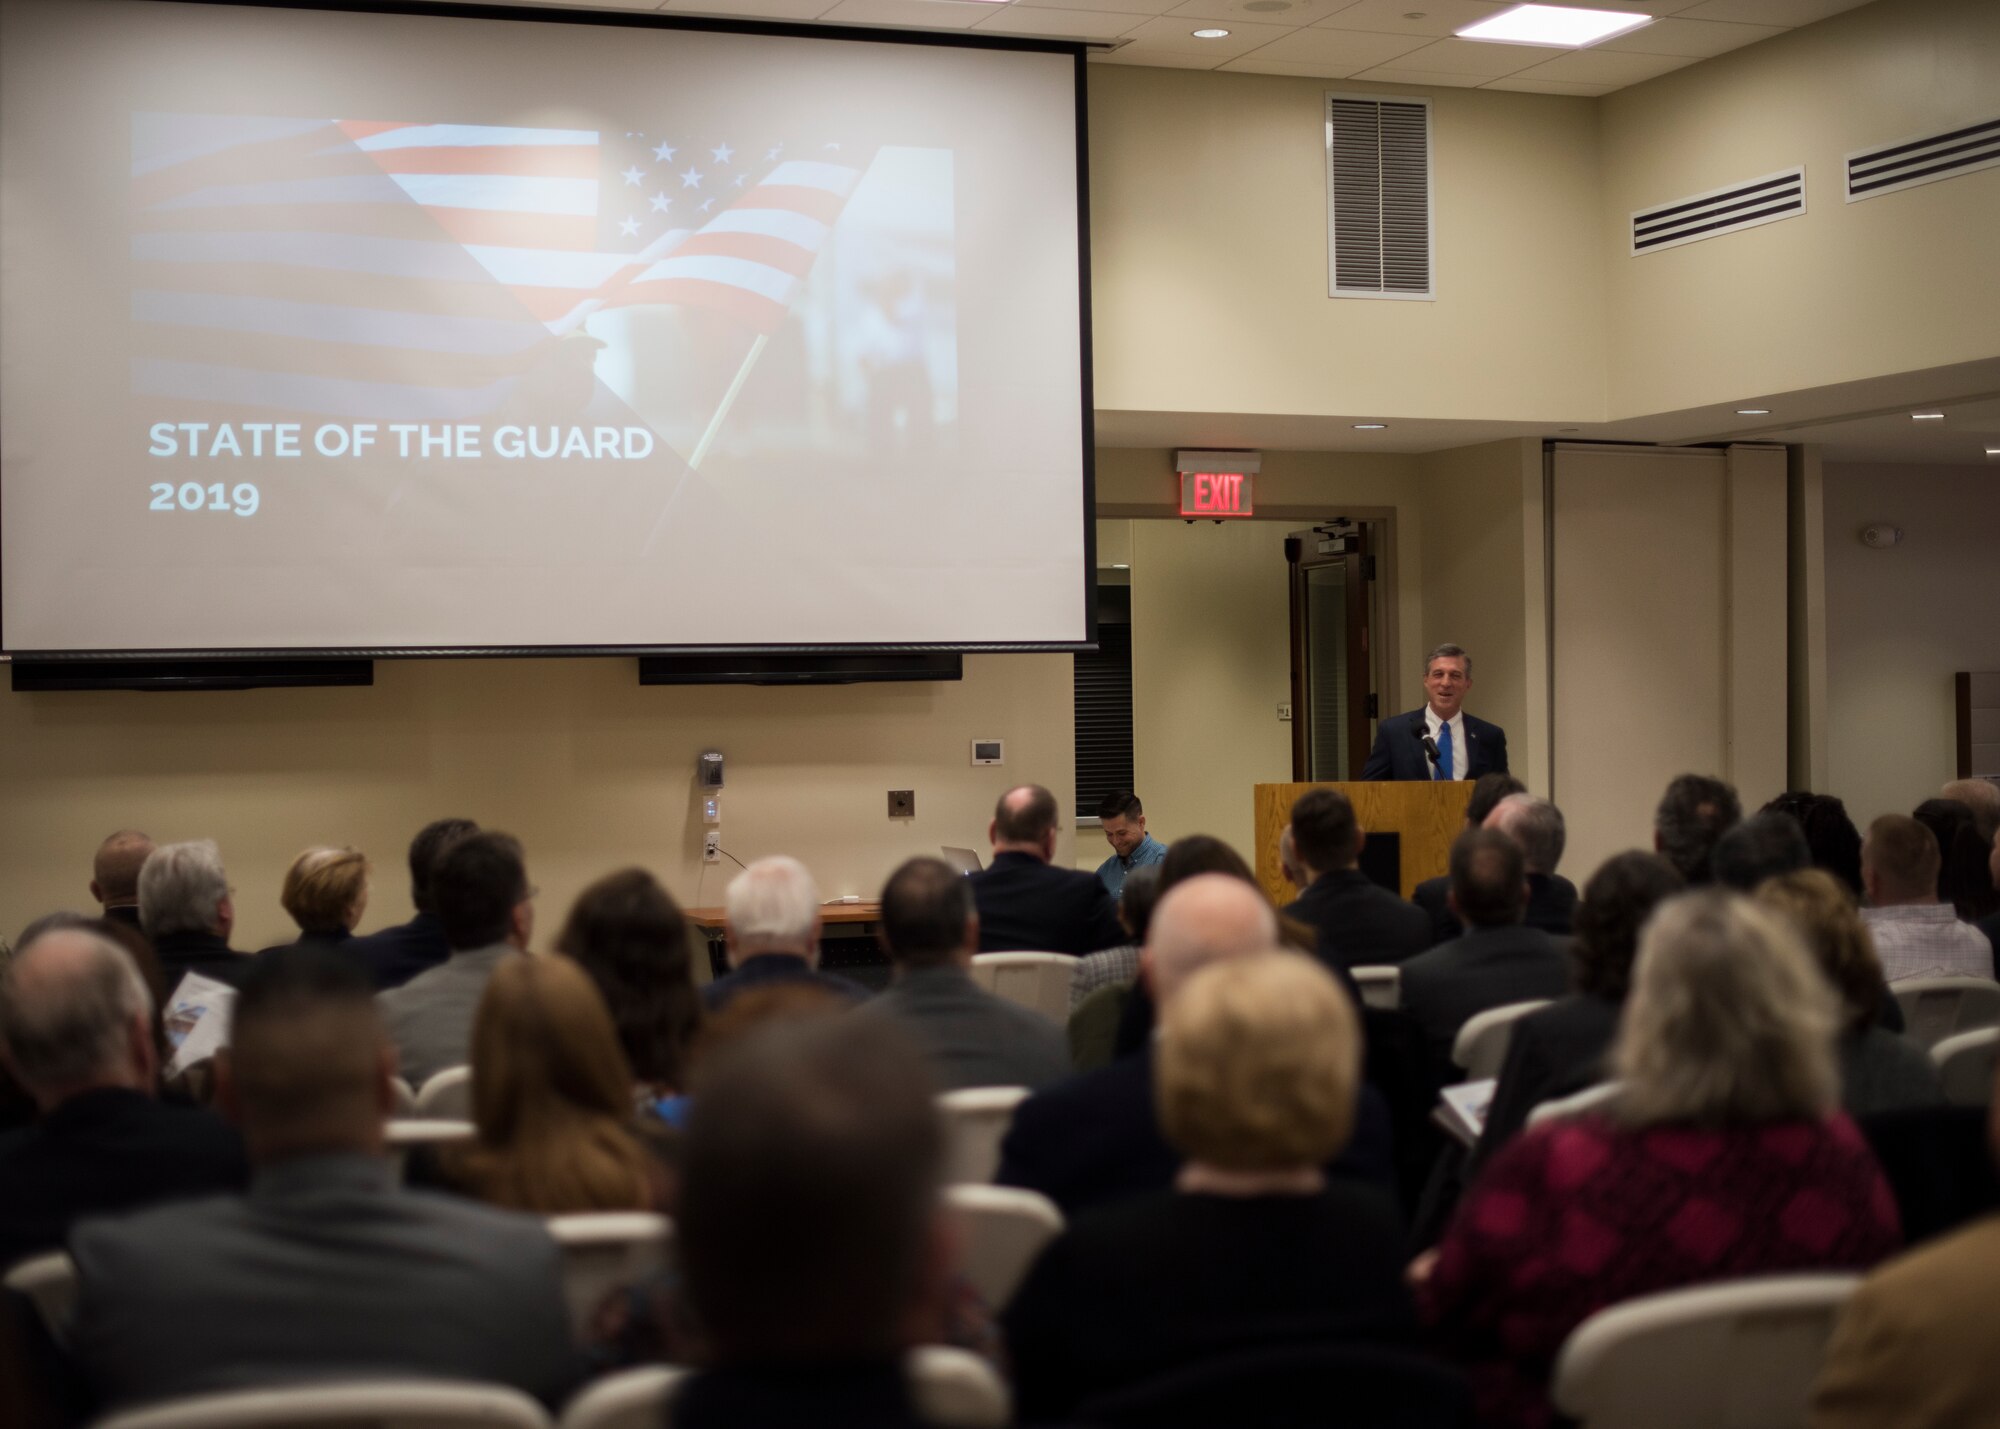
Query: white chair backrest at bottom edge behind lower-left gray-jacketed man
385, 1404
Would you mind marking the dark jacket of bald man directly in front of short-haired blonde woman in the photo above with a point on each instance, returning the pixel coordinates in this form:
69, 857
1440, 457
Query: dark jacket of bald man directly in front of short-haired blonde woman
1097, 1138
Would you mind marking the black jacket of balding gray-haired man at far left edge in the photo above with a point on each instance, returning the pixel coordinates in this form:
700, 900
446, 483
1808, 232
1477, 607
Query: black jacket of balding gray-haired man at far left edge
107, 1152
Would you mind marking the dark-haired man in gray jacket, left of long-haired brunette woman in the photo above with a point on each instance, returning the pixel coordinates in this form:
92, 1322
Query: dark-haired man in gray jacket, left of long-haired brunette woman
487, 912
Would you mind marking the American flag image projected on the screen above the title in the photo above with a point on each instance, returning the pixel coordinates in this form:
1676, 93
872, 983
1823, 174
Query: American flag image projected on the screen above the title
421, 271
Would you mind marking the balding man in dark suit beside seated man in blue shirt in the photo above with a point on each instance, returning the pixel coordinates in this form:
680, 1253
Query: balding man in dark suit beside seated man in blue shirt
1031, 906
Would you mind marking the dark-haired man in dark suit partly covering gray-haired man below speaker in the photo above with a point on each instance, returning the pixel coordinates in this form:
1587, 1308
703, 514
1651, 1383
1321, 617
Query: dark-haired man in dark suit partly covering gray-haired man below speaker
1495, 962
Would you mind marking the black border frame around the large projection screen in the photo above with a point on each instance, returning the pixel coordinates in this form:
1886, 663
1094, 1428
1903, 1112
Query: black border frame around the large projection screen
725, 25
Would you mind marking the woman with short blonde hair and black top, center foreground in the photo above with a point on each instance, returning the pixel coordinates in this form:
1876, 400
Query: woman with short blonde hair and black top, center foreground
1253, 1246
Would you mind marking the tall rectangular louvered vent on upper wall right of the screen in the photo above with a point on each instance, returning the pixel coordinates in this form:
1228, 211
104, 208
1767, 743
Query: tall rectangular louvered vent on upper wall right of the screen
1377, 197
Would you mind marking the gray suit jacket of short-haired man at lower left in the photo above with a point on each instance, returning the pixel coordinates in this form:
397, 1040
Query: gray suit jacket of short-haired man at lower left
325, 1270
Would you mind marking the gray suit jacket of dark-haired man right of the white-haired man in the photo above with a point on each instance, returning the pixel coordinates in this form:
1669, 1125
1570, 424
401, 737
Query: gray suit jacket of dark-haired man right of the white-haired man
973, 1038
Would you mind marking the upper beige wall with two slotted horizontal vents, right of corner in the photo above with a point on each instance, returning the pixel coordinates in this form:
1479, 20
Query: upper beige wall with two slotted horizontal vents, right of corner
1843, 293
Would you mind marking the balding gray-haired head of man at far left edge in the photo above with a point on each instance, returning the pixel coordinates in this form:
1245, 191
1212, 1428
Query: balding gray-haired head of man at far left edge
75, 1016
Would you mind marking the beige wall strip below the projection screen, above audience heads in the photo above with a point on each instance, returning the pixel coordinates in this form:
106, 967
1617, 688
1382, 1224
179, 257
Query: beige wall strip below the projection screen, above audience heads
573, 756
